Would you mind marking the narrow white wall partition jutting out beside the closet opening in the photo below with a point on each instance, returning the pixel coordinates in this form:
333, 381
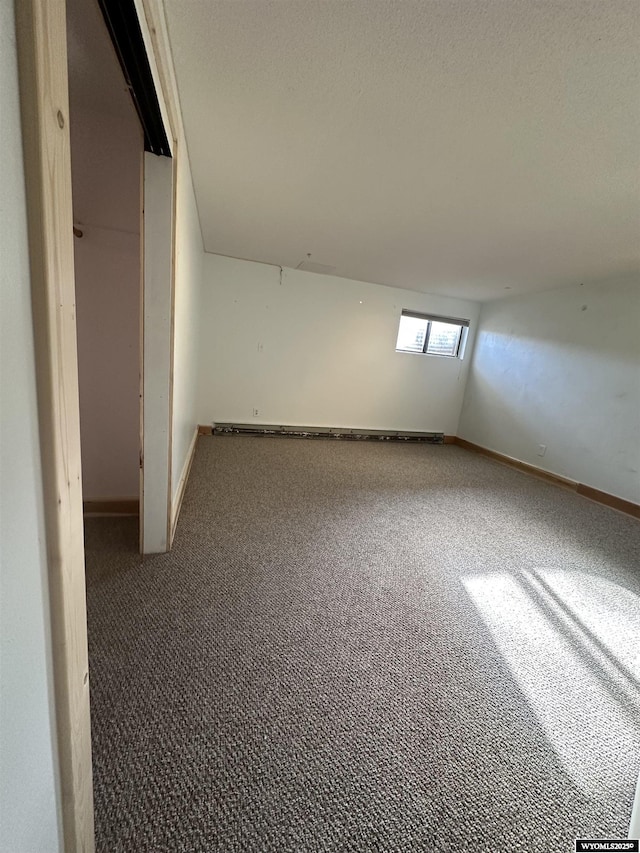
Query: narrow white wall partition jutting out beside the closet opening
169, 428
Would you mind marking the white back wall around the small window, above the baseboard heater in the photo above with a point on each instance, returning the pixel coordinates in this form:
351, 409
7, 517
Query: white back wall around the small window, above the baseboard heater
307, 349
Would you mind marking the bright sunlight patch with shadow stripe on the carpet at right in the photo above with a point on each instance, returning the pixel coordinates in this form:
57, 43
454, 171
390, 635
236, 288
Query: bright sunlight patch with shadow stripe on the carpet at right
572, 658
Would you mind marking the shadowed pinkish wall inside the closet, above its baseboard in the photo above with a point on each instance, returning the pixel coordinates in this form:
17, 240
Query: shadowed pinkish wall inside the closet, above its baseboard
106, 155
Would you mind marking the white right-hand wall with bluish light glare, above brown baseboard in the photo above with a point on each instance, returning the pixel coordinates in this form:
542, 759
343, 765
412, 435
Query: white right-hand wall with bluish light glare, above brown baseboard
562, 368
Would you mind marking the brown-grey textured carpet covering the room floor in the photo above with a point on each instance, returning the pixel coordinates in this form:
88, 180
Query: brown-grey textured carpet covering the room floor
365, 647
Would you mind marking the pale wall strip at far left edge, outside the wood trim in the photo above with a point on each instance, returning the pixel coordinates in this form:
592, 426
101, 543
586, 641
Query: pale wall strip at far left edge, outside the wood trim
29, 800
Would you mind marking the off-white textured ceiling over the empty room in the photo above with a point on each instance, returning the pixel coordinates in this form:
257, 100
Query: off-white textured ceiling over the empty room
461, 148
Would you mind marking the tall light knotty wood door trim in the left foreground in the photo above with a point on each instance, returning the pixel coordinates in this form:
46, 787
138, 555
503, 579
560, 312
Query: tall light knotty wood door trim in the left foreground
41, 31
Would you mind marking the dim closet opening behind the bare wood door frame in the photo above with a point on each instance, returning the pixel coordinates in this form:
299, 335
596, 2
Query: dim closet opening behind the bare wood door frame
107, 144
